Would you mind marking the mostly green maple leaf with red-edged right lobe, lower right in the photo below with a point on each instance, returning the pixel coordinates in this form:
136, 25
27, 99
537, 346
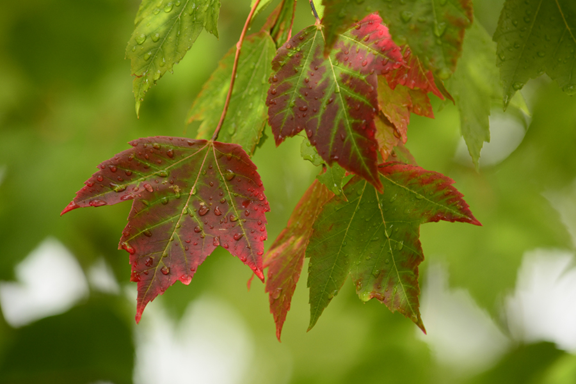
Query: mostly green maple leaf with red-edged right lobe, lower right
374, 237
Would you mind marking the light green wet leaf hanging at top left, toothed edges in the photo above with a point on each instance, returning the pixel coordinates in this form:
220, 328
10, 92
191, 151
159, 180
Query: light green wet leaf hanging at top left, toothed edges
164, 31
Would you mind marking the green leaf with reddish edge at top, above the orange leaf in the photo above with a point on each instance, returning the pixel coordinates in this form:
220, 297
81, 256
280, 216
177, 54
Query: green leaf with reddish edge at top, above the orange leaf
434, 29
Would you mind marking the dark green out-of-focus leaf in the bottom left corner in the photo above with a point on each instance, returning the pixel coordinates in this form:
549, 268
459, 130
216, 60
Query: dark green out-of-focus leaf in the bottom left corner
87, 344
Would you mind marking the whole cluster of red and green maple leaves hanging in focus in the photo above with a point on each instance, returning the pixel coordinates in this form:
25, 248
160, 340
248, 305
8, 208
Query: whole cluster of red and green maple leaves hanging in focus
350, 82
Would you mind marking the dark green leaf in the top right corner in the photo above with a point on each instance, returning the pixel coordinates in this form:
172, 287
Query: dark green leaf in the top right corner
537, 36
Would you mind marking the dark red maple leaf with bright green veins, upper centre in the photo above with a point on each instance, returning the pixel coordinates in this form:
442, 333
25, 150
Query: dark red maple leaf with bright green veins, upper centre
333, 99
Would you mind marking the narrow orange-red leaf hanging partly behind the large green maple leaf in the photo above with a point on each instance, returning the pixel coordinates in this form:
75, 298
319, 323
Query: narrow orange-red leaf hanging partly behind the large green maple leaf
285, 257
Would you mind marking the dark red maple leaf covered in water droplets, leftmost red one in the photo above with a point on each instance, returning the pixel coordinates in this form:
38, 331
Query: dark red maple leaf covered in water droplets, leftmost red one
190, 196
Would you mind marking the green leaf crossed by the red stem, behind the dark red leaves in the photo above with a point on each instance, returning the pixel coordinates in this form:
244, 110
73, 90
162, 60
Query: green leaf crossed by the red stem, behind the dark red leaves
246, 116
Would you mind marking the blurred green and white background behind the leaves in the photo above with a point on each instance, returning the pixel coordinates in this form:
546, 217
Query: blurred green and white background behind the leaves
498, 301
